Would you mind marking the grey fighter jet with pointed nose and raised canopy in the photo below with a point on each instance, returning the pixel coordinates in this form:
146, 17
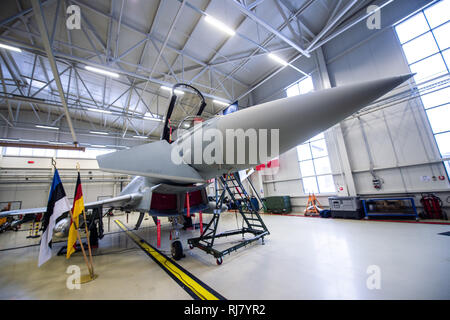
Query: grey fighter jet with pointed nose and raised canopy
167, 171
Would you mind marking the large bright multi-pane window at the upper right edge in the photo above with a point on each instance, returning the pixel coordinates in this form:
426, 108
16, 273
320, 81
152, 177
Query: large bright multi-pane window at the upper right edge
426, 43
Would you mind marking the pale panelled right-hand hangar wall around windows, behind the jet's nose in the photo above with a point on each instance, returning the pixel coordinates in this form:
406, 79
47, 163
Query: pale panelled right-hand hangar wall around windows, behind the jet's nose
399, 138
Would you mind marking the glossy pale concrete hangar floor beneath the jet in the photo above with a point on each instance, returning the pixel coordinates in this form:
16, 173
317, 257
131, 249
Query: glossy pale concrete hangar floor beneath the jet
303, 258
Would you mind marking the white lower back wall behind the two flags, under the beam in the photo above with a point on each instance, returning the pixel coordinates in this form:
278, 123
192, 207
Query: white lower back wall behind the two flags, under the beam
30, 183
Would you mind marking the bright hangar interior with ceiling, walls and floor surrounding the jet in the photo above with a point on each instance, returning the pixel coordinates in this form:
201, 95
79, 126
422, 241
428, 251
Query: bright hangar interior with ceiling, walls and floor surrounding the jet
253, 52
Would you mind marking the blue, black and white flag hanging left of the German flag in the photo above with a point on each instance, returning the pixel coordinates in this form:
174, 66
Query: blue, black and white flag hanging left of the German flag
57, 205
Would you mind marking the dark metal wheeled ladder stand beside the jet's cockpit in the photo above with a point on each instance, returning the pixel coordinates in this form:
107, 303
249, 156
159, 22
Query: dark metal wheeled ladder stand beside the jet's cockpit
252, 221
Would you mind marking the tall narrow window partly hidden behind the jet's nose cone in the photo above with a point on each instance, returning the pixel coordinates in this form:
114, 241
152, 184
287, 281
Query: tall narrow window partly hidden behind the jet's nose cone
314, 162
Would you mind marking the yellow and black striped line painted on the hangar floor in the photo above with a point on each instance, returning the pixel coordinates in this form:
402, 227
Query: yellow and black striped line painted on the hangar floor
191, 284
